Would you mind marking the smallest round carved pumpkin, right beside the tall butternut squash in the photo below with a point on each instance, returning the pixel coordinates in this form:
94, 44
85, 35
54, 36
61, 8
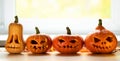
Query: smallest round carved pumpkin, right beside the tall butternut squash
38, 43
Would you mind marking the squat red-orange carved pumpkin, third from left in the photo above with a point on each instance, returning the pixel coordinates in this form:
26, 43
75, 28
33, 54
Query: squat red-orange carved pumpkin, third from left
68, 44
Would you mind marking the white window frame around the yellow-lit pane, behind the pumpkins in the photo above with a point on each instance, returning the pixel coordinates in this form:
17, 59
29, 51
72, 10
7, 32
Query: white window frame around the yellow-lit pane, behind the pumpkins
84, 27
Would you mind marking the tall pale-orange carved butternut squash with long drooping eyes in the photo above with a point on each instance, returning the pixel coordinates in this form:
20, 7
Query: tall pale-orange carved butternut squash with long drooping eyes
15, 43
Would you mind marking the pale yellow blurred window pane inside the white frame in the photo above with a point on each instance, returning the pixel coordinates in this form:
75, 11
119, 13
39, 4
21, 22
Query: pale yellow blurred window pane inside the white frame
63, 8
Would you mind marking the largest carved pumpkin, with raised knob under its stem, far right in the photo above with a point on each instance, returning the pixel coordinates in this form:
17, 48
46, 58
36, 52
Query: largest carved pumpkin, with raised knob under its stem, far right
101, 40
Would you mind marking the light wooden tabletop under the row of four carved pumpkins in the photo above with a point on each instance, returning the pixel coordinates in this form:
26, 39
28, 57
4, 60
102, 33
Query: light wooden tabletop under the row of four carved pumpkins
55, 56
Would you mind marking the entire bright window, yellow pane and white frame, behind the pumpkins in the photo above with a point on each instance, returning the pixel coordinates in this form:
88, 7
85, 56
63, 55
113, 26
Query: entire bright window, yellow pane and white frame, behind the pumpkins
52, 16
